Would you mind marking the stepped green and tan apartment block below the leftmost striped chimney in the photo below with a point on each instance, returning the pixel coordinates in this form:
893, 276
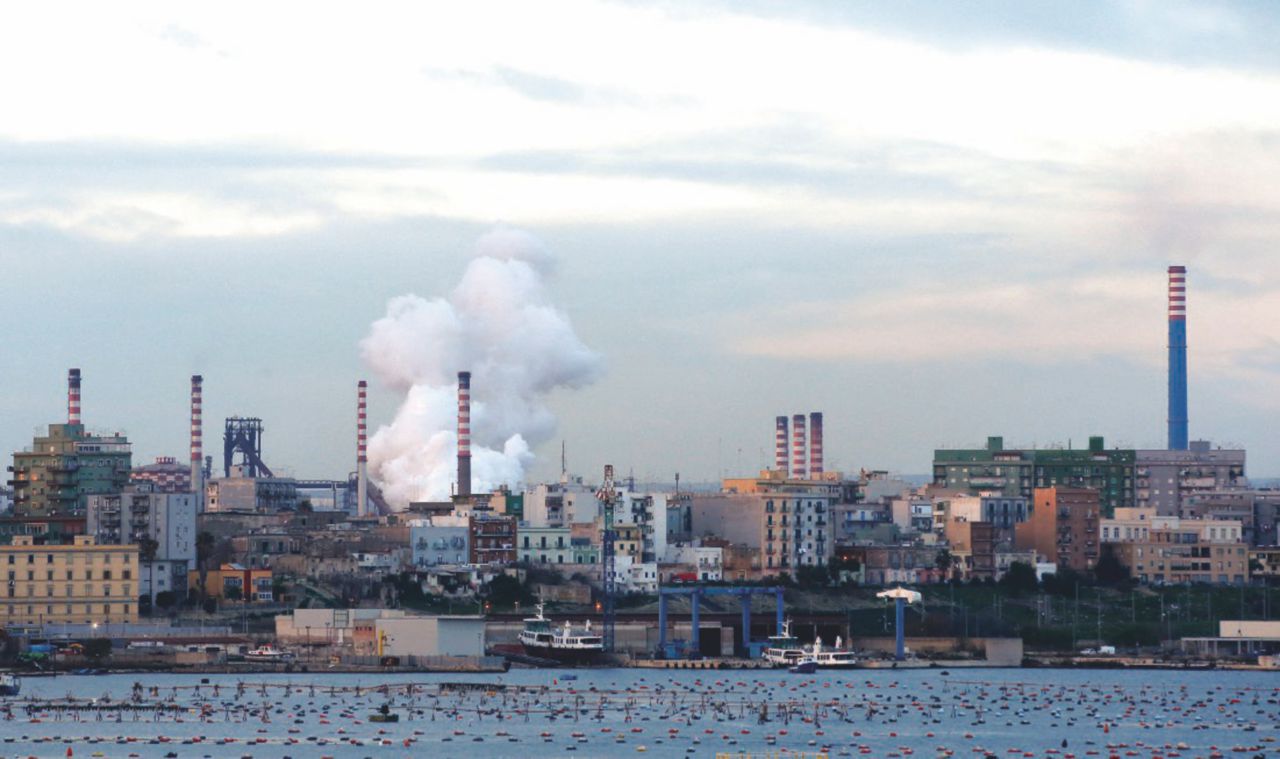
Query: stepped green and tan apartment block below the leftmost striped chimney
62, 470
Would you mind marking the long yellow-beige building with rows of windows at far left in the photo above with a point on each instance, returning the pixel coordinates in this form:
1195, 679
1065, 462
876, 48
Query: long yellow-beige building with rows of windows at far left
83, 583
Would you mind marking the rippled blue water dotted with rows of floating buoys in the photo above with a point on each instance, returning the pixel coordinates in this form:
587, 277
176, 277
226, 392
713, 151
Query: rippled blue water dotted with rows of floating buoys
628, 712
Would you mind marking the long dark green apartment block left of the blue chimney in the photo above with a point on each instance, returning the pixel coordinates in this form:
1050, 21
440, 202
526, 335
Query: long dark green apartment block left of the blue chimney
1020, 473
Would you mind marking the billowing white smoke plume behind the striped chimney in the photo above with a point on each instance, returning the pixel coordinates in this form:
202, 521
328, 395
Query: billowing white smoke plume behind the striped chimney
500, 326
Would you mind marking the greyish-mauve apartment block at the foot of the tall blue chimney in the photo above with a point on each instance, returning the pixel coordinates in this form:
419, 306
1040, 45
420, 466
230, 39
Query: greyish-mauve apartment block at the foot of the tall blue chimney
1167, 479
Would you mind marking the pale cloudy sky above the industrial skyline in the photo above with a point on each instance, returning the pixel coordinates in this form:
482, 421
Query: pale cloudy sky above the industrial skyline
934, 222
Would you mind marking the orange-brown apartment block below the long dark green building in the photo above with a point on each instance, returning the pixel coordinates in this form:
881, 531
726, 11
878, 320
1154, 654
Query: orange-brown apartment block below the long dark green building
1063, 527
